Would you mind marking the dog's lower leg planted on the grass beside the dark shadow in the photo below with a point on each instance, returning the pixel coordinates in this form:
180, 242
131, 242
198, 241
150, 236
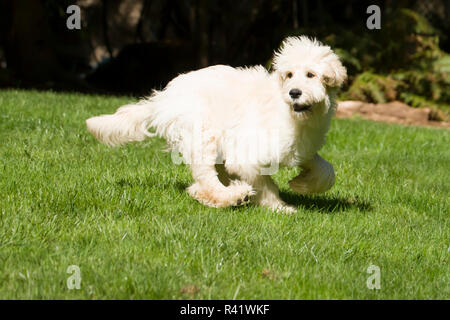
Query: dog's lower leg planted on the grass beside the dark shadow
267, 195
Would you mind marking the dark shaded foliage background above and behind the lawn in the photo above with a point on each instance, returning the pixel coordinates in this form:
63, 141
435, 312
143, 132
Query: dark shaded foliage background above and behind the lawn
132, 46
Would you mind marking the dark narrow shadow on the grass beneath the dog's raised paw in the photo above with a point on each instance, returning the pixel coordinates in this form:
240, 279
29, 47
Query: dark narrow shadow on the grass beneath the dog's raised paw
325, 204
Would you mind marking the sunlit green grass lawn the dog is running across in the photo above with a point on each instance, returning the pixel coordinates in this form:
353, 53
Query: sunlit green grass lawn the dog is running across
123, 217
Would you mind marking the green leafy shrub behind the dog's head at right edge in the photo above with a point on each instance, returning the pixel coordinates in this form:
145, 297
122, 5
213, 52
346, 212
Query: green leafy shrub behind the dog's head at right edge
402, 61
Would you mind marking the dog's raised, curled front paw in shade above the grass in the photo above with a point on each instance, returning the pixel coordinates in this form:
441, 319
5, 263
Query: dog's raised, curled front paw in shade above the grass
317, 176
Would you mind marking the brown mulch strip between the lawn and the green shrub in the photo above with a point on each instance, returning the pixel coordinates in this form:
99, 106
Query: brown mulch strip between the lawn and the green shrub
392, 112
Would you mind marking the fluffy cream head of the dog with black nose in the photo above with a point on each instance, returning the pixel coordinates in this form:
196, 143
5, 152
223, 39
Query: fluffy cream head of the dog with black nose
307, 72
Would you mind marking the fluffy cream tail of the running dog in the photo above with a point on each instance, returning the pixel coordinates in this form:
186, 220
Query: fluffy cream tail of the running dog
129, 123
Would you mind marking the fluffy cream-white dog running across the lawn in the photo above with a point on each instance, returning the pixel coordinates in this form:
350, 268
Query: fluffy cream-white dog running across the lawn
219, 117
